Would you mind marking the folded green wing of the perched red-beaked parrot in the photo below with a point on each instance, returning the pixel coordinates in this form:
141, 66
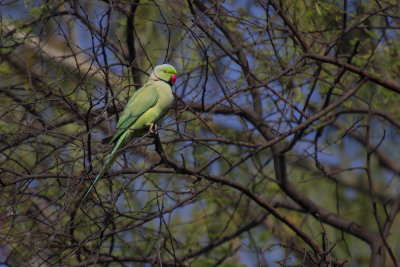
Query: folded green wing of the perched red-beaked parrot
145, 98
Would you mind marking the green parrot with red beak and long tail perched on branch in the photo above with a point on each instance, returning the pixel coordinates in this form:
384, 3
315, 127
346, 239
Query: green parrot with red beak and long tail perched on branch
144, 110
